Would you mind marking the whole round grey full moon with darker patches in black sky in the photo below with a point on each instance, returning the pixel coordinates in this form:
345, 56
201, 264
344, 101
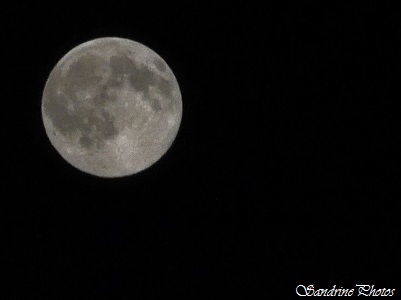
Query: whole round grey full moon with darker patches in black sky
111, 107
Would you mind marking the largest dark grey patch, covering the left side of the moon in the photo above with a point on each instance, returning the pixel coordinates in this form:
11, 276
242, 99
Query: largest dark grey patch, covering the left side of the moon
94, 123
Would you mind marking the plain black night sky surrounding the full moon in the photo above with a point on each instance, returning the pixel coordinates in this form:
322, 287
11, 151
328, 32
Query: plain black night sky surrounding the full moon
284, 172
